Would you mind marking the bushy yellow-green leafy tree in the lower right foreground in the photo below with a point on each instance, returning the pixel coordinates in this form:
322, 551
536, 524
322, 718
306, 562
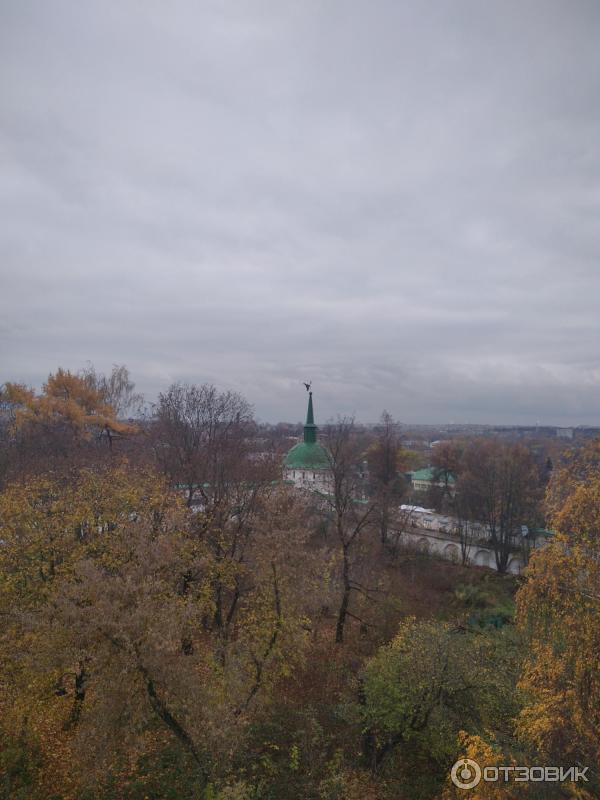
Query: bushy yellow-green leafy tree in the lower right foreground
429, 683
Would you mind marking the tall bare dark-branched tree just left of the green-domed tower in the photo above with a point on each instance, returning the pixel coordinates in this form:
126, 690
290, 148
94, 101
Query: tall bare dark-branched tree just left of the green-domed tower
202, 441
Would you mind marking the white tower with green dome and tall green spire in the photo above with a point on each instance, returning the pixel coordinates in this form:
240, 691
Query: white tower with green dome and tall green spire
307, 463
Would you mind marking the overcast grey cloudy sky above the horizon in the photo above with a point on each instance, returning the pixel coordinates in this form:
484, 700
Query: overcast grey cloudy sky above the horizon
397, 200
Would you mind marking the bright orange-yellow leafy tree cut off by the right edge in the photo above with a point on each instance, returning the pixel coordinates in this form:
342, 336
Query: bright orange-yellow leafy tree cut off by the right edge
558, 611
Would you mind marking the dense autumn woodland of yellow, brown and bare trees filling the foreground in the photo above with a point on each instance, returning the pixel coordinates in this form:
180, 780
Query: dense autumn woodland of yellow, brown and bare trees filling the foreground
176, 622
